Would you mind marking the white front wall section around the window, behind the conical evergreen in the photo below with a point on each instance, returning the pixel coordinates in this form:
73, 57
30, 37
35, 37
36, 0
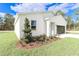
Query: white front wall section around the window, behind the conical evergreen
39, 24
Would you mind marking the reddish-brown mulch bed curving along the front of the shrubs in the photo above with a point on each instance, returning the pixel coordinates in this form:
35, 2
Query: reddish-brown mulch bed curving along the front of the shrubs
23, 45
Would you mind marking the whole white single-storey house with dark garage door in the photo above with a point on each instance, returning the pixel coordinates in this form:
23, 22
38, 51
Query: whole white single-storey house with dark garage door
42, 23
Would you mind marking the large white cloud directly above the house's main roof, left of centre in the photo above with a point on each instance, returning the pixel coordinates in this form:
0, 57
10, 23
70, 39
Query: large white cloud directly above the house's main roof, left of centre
29, 7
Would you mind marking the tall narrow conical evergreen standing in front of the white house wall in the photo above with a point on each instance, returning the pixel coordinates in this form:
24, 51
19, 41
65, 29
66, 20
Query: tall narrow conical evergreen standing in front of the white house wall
27, 31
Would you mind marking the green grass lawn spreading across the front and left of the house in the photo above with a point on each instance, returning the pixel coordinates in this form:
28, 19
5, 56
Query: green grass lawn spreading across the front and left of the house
67, 46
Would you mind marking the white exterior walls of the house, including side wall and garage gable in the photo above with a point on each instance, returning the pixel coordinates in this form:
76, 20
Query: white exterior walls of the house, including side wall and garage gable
40, 23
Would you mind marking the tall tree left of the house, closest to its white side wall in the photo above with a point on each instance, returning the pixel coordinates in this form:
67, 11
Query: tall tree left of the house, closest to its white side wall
9, 22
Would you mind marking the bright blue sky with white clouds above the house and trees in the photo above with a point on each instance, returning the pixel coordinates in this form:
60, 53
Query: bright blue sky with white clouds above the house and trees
13, 8
